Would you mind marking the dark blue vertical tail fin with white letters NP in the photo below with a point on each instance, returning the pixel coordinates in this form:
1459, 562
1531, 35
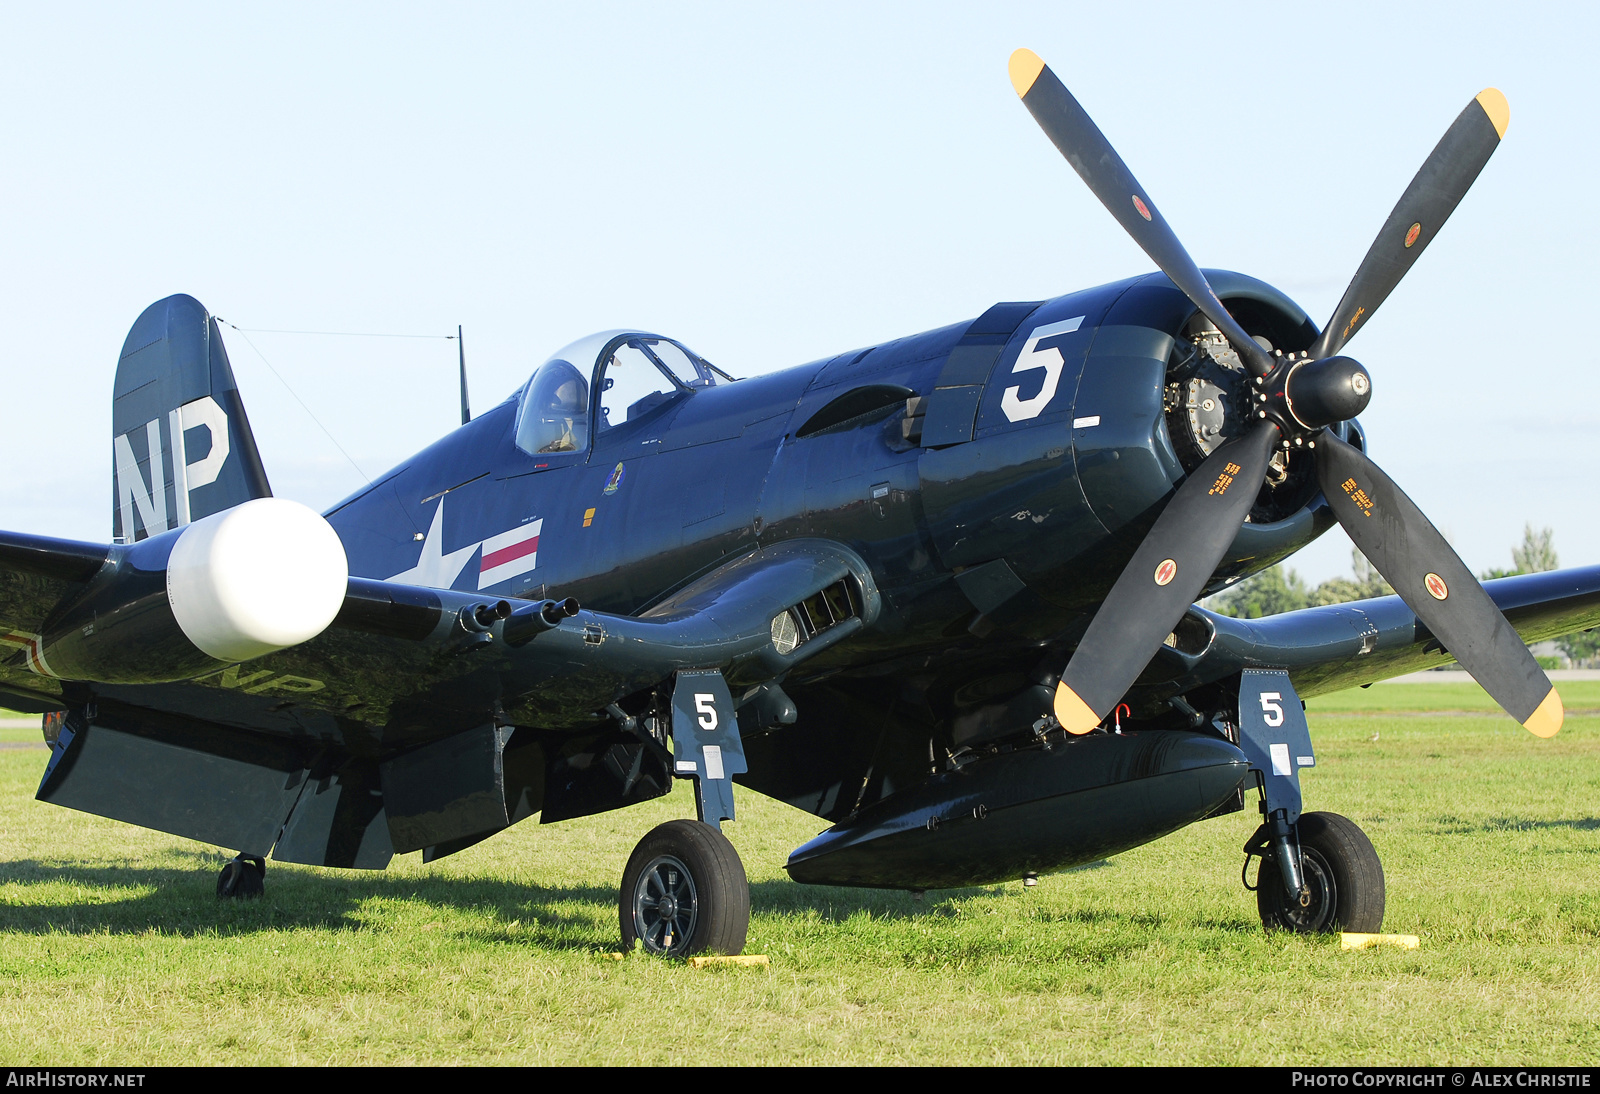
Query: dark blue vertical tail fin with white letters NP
182, 445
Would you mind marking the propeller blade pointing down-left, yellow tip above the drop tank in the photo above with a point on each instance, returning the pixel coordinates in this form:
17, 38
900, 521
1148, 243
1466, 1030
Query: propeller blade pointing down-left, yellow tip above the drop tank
1164, 578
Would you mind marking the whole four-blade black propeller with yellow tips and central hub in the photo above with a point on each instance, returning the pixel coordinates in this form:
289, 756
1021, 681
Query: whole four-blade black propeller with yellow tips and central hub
1295, 399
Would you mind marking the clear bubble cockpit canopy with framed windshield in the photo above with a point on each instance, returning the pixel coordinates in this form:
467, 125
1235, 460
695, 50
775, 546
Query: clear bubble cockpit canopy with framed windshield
633, 375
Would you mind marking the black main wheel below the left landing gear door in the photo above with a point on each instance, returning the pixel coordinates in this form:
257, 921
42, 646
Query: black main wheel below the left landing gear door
686, 893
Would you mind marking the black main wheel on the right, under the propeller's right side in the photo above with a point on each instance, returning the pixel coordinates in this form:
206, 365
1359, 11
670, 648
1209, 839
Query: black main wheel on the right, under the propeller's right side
1345, 877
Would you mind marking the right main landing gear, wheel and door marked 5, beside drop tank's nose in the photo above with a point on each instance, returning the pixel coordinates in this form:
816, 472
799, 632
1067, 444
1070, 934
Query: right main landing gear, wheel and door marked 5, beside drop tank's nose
1319, 871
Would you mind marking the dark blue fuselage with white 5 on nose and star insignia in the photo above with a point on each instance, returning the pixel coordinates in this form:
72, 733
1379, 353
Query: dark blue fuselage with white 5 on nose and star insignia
1022, 453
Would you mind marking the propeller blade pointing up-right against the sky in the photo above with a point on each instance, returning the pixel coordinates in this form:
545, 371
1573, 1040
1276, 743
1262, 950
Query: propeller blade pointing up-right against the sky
1425, 207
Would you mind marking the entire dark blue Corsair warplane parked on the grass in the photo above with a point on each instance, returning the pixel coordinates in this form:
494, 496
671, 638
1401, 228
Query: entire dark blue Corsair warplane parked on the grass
938, 593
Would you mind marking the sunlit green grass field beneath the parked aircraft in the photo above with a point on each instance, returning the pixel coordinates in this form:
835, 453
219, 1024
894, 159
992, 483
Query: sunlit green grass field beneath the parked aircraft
114, 949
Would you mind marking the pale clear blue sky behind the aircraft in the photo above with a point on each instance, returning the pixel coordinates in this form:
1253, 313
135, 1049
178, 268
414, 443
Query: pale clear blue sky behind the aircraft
772, 185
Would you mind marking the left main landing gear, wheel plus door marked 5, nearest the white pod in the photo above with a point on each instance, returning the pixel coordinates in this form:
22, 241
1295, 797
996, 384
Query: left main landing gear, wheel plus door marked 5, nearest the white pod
684, 890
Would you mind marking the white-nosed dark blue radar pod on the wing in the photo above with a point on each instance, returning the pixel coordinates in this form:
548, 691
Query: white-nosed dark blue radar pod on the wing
239, 585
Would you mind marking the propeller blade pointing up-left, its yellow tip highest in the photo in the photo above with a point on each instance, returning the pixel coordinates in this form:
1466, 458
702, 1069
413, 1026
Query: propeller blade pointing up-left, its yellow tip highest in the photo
1087, 150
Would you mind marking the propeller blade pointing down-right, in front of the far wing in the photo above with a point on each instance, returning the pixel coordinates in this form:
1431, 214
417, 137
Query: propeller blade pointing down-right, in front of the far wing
1436, 585
